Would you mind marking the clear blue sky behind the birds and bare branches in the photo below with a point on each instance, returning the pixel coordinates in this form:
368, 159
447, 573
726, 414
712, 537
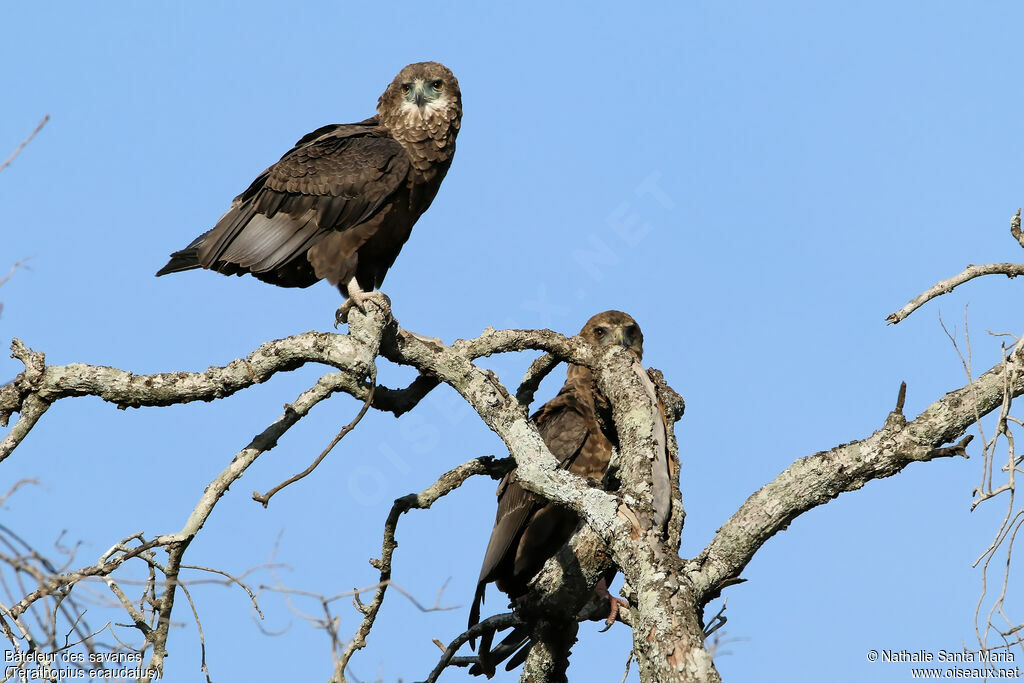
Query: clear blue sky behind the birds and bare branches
758, 185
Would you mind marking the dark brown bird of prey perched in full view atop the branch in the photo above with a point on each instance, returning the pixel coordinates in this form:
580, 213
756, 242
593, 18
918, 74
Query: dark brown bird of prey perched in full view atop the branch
344, 201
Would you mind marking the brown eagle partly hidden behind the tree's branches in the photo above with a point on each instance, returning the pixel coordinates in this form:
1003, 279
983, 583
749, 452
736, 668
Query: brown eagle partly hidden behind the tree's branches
577, 428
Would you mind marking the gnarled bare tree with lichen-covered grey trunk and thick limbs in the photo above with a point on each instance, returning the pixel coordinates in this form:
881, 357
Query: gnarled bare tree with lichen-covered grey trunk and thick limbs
618, 530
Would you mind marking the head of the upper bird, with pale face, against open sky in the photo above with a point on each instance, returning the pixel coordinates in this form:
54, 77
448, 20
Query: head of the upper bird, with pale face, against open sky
422, 91
